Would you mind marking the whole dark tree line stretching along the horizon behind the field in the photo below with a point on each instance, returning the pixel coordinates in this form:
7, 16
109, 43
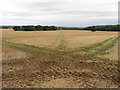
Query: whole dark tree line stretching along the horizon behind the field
52, 28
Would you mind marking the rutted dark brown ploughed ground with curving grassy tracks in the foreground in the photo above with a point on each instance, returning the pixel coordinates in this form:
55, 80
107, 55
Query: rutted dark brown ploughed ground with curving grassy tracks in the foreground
35, 67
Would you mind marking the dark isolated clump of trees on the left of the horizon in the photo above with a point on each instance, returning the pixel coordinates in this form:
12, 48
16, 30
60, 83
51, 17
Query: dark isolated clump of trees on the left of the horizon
34, 28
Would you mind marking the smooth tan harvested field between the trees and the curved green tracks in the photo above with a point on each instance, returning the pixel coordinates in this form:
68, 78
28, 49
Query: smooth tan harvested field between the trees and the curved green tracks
69, 38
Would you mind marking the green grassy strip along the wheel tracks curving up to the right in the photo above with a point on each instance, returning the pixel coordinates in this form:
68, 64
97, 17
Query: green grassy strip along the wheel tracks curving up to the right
102, 45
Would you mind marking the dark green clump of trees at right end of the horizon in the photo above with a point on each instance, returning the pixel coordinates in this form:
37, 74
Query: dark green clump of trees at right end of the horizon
103, 28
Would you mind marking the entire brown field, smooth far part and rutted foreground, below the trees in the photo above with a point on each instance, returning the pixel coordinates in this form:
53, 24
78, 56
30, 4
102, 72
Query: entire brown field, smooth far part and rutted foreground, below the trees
60, 59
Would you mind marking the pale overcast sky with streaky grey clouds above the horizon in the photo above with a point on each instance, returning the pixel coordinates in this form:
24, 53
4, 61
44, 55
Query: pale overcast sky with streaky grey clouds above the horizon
71, 13
